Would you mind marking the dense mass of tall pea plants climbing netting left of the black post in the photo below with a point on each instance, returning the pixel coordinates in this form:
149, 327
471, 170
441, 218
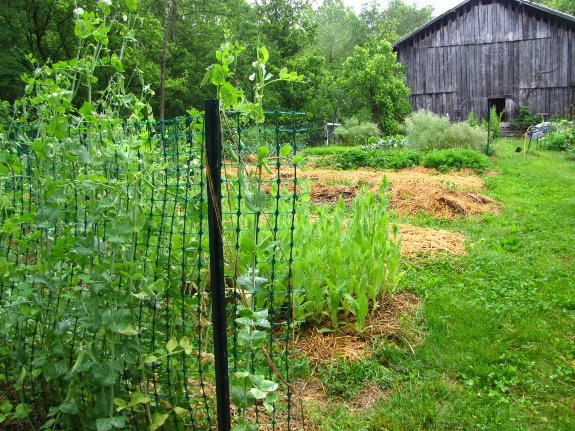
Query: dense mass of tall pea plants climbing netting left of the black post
83, 234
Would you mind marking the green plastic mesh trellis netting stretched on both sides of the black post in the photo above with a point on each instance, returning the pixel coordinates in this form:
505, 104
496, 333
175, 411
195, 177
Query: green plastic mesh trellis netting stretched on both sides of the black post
105, 291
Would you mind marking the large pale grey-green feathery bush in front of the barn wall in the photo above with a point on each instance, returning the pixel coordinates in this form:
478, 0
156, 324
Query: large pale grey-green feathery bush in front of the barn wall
428, 131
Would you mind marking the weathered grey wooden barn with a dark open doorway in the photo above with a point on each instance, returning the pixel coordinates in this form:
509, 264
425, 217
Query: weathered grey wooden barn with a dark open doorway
483, 53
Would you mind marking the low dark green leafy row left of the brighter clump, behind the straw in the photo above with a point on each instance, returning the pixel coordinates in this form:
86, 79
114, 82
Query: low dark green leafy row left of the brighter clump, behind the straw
355, 158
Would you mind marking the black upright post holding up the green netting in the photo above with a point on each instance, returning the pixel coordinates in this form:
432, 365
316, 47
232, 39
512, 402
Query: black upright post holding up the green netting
217, 281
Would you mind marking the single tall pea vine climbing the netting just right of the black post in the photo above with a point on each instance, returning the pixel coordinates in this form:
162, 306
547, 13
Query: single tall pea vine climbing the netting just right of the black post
247, 387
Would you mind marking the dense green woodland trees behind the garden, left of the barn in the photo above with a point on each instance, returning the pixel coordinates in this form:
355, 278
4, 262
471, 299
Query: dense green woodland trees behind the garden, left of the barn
345, 57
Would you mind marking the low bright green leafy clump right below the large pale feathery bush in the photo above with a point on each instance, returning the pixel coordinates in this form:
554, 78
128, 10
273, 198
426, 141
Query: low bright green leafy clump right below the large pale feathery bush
452, 159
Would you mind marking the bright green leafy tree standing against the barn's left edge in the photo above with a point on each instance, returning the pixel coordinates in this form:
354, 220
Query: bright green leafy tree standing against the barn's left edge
375, 85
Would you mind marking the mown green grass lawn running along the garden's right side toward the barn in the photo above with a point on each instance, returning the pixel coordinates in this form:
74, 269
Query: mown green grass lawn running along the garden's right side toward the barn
499, 322
